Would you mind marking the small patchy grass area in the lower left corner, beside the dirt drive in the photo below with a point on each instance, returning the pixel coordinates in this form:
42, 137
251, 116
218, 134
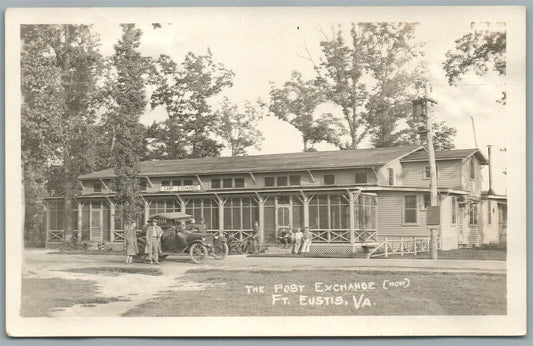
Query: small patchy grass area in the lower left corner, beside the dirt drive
41, 296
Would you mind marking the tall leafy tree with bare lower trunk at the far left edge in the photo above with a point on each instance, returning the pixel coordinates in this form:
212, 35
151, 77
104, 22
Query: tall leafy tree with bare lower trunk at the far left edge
59, 65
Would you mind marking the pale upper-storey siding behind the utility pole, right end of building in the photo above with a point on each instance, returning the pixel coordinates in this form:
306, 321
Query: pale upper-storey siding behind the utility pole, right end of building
448, 177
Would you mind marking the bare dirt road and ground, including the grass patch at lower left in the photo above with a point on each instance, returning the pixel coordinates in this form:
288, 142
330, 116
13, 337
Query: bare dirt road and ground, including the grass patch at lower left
90, 286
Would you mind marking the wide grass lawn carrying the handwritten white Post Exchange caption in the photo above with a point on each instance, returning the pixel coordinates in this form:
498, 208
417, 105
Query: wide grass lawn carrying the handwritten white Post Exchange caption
426, 294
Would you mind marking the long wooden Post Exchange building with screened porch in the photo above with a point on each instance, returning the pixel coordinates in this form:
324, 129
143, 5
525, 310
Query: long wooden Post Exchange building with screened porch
348, 199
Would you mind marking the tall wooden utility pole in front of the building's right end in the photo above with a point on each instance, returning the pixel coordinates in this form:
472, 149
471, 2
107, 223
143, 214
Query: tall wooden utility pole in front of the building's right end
422, 109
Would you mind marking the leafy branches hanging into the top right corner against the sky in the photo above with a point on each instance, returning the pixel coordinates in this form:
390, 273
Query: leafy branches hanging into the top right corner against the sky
481, 50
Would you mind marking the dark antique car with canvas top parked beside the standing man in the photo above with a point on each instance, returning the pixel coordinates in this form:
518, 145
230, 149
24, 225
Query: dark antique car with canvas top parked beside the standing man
180, 236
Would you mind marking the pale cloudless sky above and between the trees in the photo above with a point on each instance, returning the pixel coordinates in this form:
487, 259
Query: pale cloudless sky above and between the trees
264, 47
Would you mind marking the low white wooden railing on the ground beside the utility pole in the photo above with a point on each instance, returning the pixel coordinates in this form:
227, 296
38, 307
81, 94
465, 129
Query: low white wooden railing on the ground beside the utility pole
401, 246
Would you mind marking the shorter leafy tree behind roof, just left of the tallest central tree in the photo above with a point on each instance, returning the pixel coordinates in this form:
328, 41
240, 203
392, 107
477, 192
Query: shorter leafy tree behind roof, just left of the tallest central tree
296, 103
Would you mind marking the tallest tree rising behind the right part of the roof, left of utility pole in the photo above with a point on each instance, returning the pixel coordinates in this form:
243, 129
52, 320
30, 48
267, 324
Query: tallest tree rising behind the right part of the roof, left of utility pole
373, 79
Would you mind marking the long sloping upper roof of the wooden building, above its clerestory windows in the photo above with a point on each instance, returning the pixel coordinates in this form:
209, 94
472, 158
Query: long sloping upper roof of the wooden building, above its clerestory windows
337, 159
